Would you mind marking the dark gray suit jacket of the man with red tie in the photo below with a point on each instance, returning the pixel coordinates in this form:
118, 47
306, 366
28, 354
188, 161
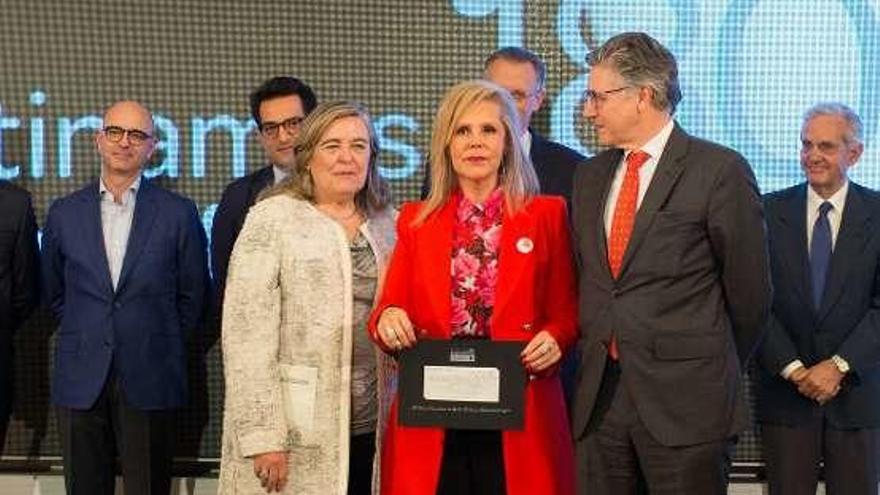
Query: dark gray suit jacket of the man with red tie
693, 292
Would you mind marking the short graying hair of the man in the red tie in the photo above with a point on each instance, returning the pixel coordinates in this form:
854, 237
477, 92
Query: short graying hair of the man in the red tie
643, 62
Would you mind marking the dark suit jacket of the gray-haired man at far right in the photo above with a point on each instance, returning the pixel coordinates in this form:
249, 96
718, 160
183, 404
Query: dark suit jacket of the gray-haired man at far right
847, 323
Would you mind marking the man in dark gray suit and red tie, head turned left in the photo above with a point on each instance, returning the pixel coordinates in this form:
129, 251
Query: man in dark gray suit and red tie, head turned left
674, 285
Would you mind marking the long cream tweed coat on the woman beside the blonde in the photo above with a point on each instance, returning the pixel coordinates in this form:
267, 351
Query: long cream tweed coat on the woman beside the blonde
287, 346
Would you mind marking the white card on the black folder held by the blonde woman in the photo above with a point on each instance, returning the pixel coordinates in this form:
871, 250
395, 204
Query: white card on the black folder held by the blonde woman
462, 384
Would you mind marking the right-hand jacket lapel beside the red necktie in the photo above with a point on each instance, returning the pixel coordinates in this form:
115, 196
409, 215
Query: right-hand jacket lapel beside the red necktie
666, 175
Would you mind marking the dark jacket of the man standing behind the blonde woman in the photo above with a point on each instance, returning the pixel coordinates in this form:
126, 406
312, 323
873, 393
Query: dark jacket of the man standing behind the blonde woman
554, 163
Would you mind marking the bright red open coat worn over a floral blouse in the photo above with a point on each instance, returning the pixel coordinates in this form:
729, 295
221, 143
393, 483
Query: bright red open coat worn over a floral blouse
536, 291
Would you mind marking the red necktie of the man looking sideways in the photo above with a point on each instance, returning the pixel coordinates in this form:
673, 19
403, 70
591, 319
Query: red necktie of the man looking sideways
623, 220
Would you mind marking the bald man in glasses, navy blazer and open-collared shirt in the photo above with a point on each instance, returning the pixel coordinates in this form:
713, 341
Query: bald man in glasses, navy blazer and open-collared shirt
125, 273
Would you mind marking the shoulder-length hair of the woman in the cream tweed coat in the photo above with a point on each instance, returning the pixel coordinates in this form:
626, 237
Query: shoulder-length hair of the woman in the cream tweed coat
375, 195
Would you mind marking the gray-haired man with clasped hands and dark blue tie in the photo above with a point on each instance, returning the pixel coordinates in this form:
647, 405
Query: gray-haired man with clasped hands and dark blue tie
819, 380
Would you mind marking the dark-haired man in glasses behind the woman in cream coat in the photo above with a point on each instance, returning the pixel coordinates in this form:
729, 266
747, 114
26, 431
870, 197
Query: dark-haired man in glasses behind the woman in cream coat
278, 106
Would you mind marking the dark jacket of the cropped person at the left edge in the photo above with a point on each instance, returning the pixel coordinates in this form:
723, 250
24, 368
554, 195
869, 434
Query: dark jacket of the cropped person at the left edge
19, 276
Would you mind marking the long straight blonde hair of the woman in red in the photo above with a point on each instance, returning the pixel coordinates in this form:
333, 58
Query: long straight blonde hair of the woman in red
516, 176
